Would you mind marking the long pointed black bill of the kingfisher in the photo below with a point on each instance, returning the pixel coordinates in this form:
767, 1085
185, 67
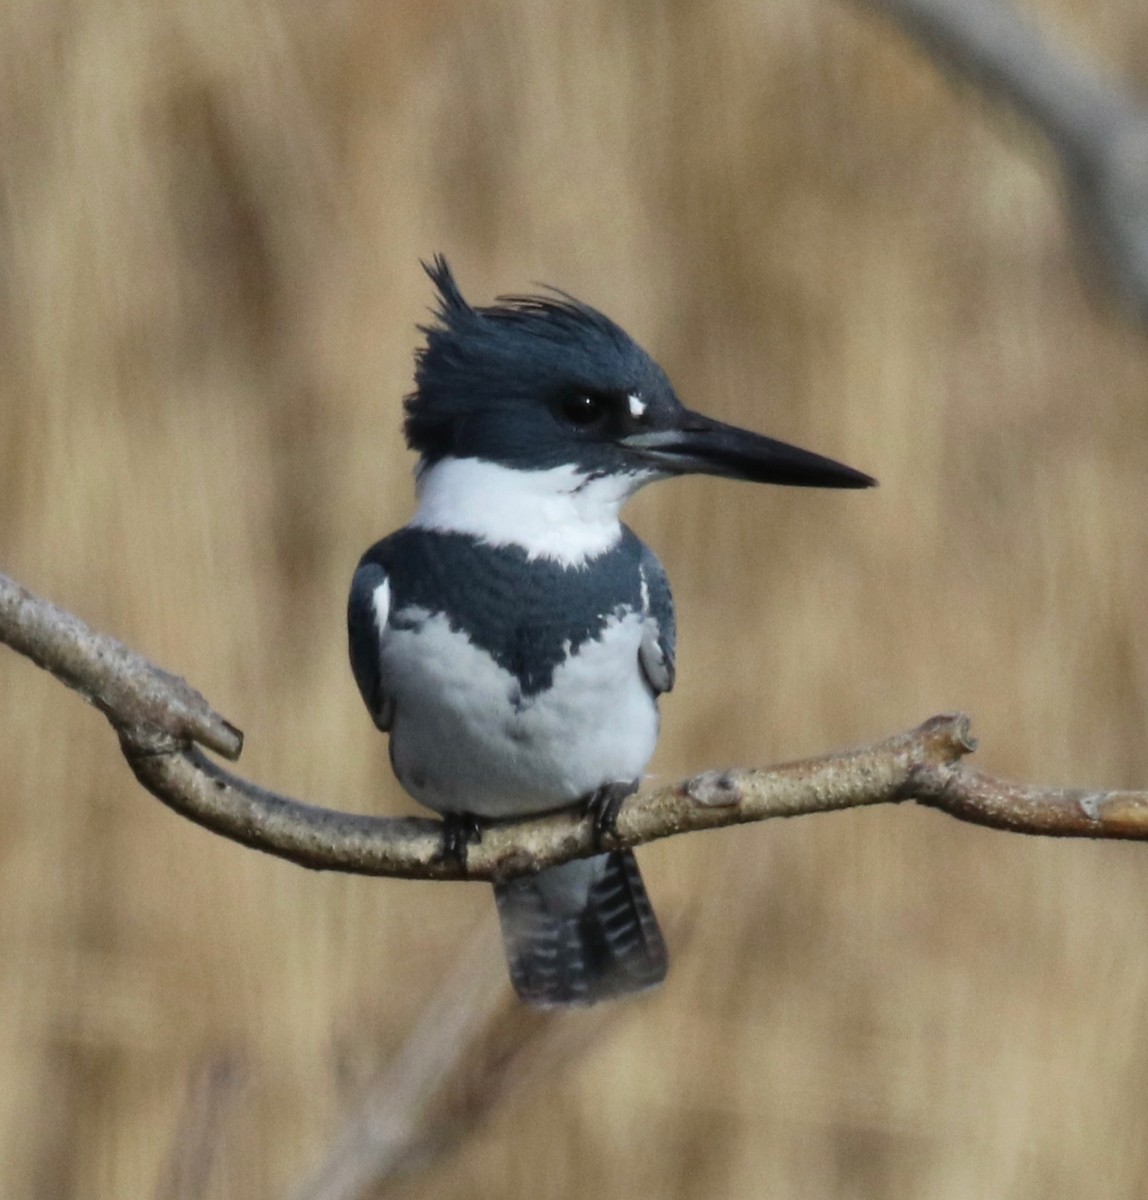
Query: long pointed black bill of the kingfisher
696, 445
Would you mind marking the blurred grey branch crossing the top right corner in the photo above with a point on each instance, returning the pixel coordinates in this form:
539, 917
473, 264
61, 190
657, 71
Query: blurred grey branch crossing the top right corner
1098, 129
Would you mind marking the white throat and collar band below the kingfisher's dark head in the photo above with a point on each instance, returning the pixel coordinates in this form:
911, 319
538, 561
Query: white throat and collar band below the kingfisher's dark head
561, 514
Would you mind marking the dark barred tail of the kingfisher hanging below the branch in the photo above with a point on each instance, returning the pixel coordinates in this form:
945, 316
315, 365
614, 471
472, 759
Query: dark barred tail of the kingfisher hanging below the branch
581, 933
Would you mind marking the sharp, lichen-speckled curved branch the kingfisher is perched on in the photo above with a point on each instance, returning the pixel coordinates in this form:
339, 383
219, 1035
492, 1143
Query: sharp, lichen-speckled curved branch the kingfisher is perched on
159, 717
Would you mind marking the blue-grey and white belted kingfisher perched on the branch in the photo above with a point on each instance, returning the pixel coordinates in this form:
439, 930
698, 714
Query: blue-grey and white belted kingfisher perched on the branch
514, 639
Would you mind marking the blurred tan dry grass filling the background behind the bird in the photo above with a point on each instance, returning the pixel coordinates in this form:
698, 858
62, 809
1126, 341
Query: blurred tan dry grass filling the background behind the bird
209, 239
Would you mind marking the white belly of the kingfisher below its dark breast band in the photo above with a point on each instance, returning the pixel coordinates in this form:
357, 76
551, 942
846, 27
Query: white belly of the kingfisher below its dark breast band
460, 742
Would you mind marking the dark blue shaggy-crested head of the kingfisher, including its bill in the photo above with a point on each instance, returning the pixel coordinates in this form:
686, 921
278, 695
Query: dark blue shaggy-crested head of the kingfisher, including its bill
534, 383
